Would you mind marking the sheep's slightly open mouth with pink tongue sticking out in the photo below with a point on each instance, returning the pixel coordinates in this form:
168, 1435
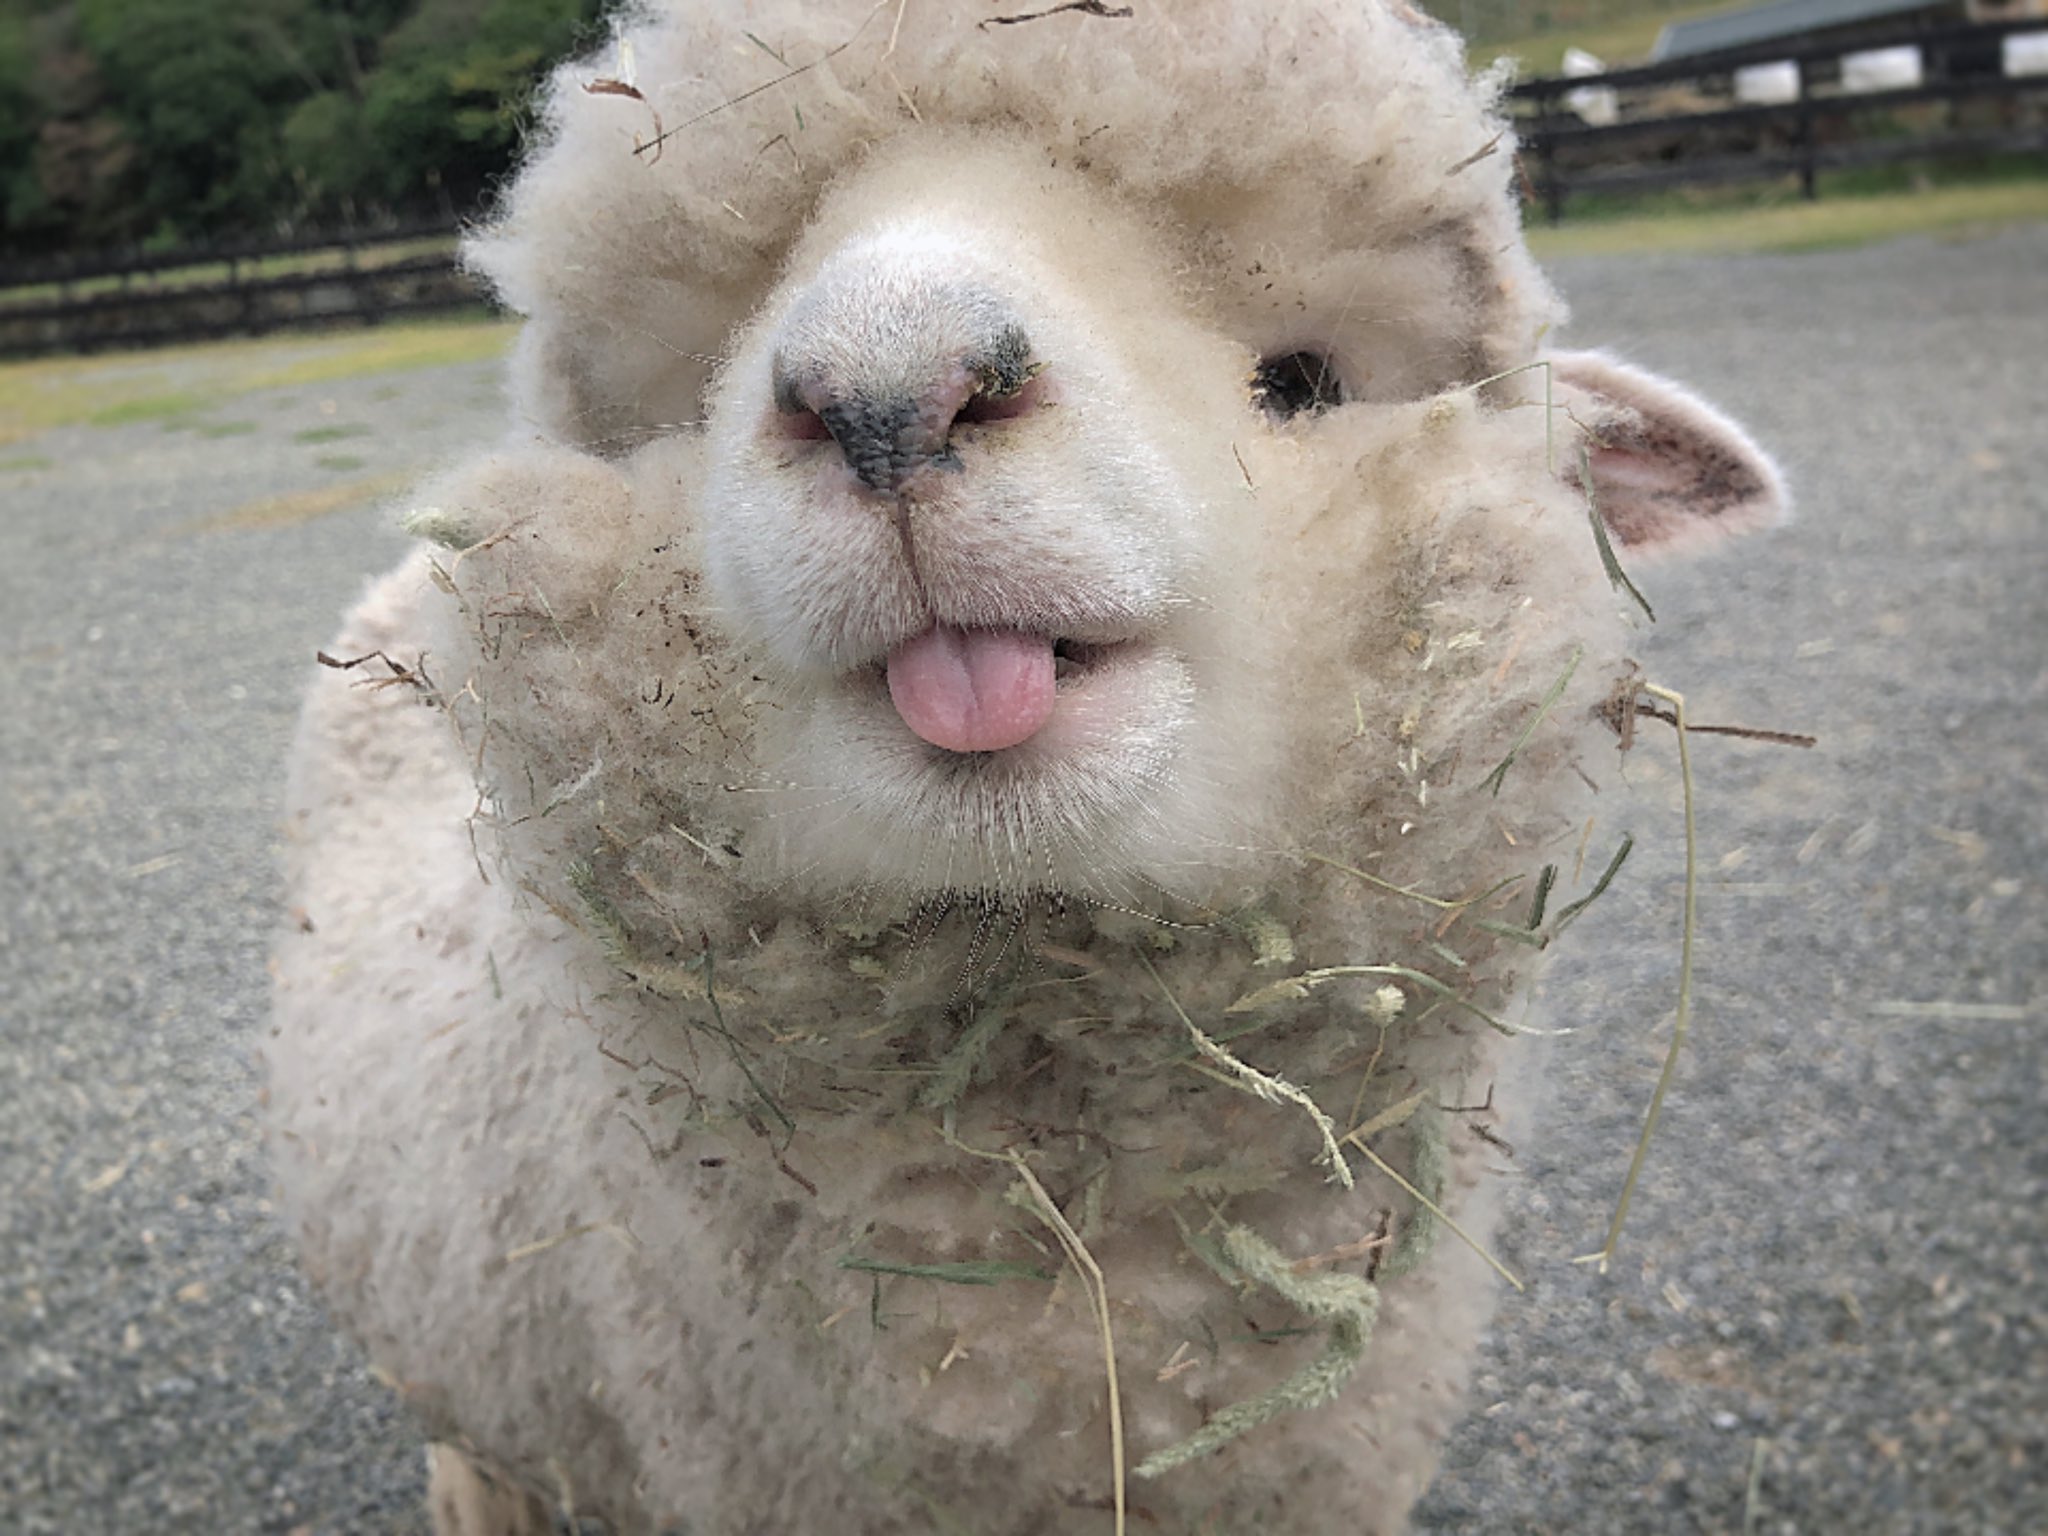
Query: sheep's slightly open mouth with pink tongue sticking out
982, 691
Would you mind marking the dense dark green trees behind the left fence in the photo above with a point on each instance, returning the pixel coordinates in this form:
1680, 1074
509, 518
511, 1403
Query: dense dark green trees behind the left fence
167, 120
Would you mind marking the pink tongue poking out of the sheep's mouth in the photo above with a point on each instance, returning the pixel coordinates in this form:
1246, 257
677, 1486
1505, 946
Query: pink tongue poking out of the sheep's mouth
974, 689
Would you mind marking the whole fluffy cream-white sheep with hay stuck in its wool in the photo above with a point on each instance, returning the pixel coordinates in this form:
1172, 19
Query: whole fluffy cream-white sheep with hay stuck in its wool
1023, 538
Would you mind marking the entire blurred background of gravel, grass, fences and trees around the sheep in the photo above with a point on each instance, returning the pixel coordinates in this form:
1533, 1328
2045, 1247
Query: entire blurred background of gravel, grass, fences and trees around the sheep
232, 335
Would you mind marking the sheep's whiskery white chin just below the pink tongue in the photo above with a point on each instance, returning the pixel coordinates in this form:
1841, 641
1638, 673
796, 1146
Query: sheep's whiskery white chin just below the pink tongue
1109, 802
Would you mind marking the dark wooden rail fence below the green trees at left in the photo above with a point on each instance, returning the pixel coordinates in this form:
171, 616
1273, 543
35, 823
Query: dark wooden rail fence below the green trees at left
105, 300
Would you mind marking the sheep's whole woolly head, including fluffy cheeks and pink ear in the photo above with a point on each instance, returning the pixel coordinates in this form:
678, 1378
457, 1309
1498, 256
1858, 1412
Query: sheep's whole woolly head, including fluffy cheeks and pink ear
1095, 495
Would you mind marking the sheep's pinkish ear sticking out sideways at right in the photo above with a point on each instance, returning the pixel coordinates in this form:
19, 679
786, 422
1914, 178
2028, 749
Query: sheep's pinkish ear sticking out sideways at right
1670, 472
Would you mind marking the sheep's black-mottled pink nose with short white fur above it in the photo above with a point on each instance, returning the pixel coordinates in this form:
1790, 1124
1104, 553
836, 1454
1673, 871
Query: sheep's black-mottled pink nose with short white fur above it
892, 364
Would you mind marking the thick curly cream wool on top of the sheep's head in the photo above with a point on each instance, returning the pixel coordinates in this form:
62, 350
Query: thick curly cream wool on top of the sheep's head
1336, 155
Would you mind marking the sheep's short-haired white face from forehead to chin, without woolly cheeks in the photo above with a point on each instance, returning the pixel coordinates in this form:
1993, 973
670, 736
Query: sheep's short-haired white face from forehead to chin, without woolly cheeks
974, 507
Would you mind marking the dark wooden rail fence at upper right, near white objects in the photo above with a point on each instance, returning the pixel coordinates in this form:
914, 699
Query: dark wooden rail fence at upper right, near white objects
1682, 122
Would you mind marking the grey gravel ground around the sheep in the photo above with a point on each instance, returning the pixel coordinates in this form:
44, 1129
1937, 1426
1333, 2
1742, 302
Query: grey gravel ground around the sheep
1828, 1308
